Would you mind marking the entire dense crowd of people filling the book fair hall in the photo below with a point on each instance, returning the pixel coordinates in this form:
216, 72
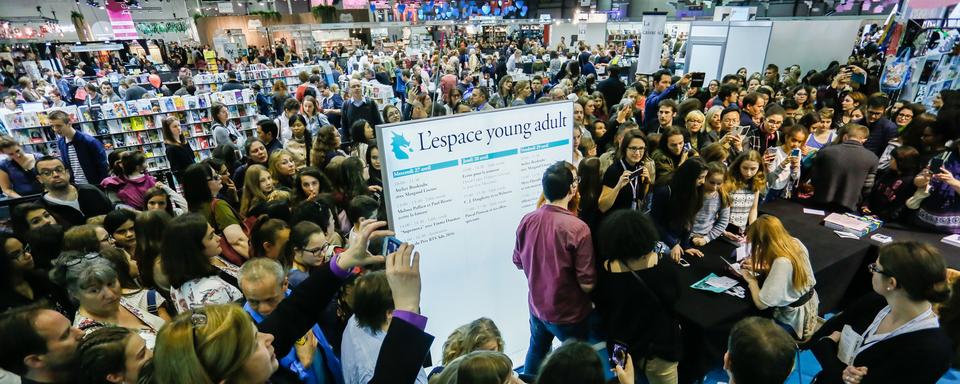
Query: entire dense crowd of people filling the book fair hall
263, 263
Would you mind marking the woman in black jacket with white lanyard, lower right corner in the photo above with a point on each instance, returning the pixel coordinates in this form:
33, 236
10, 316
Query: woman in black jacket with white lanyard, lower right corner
903, 342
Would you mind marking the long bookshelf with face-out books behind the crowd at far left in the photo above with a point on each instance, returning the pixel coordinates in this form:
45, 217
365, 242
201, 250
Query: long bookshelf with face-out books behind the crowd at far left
136, 125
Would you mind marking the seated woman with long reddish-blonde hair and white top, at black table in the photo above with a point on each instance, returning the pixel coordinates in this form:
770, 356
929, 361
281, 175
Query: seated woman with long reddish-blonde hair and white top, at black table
779, 276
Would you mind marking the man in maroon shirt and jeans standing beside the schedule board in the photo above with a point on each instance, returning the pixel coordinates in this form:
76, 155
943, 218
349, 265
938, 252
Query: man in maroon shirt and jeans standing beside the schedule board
555, 252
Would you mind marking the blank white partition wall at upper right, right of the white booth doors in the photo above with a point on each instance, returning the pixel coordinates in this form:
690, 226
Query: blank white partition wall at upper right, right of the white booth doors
813, 43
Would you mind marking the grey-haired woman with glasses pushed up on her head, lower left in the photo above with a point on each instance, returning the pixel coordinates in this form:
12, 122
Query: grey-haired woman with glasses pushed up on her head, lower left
94, 283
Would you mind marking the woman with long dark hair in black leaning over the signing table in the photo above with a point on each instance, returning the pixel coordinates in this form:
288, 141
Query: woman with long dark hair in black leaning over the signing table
674, 207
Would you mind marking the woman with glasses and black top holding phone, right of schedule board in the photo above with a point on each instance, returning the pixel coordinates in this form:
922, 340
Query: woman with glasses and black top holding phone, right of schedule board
627, 181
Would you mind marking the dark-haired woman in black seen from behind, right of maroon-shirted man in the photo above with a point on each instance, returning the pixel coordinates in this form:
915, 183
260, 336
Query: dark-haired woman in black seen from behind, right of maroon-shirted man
635, 295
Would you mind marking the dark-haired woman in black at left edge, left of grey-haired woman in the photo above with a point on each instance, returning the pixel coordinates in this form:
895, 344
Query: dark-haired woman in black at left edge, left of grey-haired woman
21, 283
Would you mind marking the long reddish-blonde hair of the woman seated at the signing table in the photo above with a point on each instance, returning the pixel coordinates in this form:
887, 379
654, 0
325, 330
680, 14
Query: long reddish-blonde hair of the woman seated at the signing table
768, 241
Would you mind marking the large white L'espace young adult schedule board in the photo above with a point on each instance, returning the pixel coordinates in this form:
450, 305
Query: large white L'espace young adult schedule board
457, 187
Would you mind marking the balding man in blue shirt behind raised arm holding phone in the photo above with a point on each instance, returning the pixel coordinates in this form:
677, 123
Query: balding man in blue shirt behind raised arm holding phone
264, 285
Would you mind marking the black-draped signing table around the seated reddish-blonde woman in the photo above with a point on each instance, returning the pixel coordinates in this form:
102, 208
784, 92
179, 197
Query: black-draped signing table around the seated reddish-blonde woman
707, 316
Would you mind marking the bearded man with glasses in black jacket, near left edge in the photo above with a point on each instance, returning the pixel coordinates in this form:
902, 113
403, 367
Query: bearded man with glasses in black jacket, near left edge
70, 204
